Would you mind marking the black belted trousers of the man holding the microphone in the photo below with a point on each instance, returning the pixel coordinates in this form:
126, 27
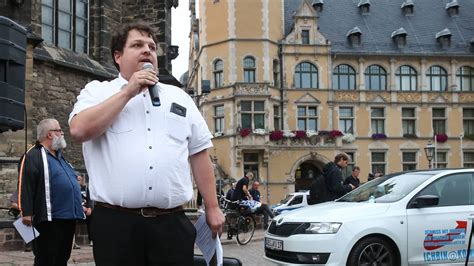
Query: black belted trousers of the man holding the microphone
123, 238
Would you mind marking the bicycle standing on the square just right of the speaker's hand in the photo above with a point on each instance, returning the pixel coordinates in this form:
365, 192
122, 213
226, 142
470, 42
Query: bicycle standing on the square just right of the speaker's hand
239, 220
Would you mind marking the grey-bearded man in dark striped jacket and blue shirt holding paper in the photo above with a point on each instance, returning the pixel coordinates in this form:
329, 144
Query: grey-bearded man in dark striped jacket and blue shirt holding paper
49, 196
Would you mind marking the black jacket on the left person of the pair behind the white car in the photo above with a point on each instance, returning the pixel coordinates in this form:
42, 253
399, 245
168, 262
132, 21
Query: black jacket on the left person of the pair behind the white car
333, 179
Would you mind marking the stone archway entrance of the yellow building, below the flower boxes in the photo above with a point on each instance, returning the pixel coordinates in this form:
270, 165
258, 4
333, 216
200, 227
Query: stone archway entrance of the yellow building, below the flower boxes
306, 168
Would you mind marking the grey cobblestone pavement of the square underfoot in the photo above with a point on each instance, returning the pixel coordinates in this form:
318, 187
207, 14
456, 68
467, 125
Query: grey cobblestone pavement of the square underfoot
250, 254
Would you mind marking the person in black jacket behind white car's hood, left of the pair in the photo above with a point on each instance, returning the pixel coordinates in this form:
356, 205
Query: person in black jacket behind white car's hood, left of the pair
333, 178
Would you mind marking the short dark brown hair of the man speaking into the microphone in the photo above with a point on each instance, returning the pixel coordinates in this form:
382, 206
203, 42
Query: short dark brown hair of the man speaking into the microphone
120, 36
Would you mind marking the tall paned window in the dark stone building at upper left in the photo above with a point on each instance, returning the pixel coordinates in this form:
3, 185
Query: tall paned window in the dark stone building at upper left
65, 24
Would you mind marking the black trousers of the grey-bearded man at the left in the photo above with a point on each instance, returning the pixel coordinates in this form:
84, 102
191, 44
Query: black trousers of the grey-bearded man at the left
53, 246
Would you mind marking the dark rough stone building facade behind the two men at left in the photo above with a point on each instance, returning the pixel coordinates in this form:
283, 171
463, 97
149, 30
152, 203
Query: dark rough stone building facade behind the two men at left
70, 55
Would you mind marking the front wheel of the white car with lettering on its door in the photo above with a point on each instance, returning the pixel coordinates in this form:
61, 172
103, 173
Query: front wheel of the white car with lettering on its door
373, 251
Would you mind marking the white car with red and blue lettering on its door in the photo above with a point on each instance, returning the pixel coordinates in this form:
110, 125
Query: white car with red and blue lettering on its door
422, 217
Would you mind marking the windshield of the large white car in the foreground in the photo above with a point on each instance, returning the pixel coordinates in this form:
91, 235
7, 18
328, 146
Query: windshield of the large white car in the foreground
388, 188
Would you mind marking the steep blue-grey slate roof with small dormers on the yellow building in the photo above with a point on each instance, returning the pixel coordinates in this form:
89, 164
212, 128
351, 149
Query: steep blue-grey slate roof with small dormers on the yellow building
386, 16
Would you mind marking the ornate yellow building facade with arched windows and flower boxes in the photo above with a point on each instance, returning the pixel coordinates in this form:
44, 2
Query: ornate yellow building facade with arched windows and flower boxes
286, 85
